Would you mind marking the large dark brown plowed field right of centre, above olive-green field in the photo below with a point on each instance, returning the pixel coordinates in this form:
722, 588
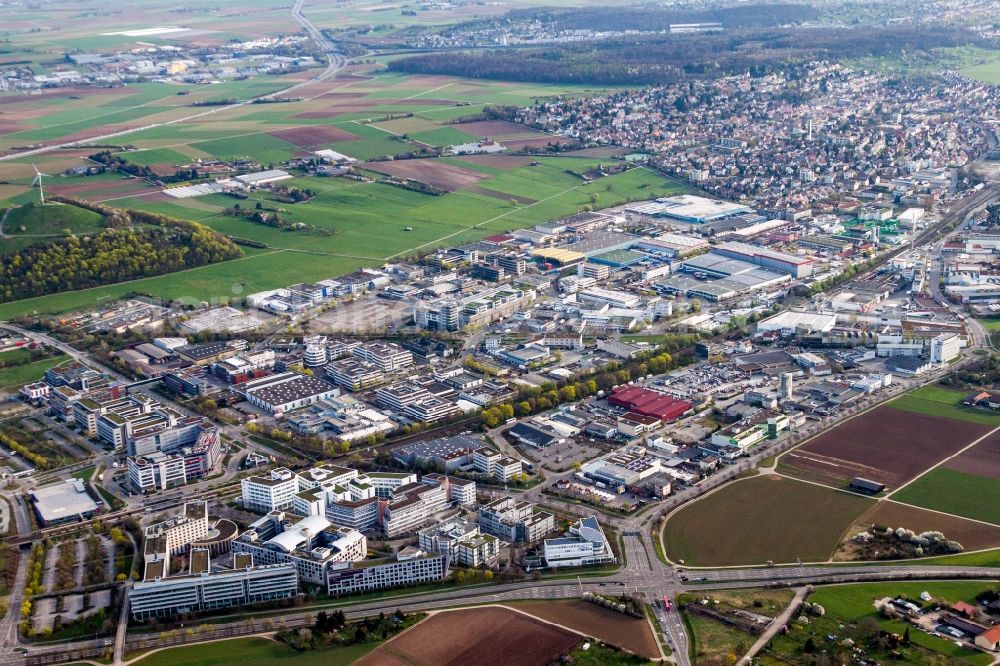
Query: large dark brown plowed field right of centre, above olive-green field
885, 445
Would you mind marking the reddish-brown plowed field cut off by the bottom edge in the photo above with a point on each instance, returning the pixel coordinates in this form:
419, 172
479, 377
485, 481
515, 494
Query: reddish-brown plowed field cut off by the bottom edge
475, 636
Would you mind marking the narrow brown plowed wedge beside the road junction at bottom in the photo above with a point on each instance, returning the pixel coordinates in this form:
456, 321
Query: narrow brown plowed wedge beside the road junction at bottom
631, 633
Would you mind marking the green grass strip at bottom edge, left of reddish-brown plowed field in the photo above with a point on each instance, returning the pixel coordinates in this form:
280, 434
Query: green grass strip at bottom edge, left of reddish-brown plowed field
254, 650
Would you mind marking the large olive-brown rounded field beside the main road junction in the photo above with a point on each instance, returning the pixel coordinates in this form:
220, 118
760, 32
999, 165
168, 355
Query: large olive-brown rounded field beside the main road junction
759, 519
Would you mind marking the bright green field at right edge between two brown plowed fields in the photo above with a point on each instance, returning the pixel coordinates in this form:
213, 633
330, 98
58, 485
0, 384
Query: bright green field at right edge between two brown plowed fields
955, 492
